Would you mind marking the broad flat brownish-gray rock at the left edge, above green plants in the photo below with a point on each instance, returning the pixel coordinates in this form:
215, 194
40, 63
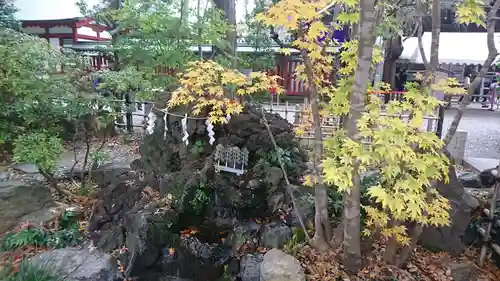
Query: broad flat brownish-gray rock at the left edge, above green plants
20, 200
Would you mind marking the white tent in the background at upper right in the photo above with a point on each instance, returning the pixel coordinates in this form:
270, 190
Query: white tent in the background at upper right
454, 48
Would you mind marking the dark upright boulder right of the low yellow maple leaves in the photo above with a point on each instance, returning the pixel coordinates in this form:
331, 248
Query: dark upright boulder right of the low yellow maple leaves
449, 238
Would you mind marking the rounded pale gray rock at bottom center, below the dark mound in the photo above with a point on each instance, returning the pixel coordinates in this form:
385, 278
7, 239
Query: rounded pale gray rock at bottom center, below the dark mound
278, 266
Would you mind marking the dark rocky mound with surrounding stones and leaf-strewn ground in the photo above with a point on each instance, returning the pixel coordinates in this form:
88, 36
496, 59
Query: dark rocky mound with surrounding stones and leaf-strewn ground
163, 210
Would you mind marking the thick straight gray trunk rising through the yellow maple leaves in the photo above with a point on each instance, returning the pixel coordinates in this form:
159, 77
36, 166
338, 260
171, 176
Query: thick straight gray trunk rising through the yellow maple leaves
352, 220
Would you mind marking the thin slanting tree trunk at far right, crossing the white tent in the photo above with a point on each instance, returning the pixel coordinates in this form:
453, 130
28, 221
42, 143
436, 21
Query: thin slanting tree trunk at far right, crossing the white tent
492, 54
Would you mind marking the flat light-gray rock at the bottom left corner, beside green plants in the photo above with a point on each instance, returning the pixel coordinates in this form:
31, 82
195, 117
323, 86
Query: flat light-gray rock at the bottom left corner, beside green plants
78, 265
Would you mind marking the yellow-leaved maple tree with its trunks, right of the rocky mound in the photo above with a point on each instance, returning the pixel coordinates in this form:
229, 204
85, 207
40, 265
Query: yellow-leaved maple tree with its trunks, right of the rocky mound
409, 159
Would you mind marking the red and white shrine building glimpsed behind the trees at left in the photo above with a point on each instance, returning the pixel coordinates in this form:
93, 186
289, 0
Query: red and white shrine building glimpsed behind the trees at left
62, 24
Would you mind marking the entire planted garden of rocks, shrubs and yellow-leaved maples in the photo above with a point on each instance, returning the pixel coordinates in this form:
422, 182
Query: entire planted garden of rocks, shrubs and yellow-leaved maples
215, 188
